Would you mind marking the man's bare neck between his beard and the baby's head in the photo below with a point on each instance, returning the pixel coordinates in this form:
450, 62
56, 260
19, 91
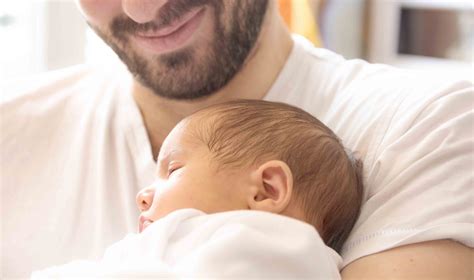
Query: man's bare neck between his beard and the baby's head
253, 81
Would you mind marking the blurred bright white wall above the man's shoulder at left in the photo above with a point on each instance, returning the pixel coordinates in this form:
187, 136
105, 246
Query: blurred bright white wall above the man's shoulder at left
39, 36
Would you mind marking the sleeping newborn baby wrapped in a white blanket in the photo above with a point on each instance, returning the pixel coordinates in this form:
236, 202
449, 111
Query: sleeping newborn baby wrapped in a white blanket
215, 166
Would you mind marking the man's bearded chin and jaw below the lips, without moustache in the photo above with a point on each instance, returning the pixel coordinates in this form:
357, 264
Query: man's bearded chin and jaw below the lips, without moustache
187, 74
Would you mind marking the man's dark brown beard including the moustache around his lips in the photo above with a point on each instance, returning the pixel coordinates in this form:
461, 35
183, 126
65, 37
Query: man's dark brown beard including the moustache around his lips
191, 73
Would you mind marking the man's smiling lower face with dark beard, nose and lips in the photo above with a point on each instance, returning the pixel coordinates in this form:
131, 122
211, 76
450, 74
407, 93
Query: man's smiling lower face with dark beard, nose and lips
180, 49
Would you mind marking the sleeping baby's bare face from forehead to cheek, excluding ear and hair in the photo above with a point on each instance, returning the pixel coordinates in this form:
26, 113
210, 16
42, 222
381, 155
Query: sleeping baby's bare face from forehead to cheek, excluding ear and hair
188, 178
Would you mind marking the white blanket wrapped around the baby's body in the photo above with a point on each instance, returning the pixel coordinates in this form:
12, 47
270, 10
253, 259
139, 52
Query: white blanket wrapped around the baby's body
191, 244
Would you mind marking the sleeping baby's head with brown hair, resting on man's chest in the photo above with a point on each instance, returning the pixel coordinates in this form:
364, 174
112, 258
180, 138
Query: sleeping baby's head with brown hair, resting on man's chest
257, 155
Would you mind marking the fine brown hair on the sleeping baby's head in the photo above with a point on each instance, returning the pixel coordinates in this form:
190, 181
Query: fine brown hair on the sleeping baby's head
327, 179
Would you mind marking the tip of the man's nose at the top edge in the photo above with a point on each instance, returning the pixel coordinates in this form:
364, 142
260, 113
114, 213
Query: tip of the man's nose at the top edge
142, 11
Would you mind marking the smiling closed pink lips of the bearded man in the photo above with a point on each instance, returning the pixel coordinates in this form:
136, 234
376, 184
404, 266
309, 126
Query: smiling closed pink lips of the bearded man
172, 36
